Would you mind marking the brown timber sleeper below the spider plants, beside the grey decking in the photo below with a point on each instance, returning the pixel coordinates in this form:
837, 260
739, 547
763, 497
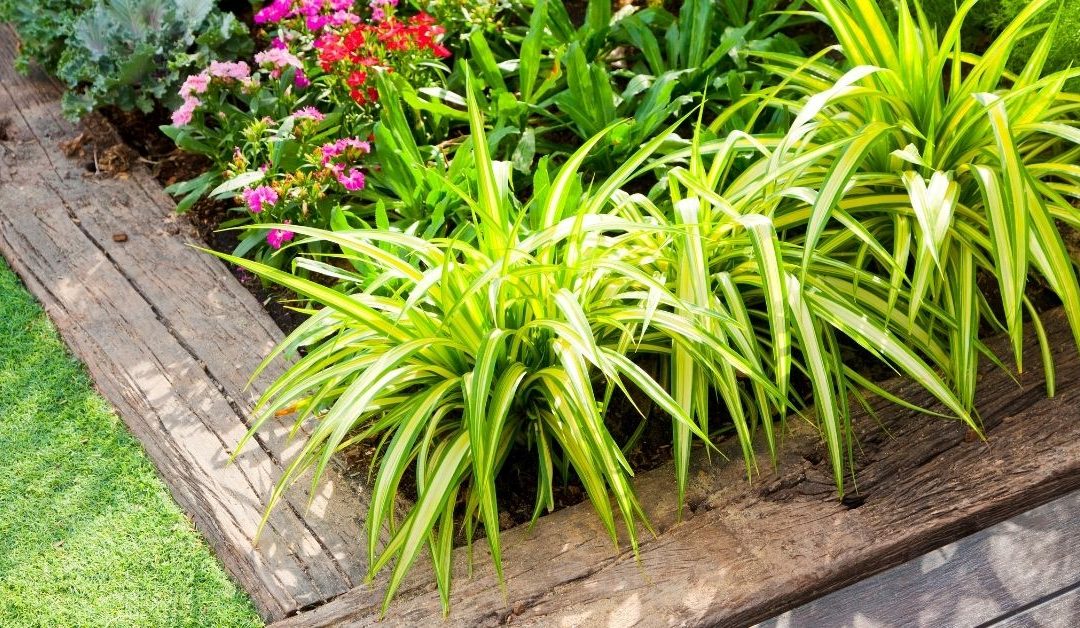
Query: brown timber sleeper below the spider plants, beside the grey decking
744, 552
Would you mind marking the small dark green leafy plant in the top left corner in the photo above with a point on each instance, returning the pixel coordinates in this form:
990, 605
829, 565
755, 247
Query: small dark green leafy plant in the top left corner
45, 29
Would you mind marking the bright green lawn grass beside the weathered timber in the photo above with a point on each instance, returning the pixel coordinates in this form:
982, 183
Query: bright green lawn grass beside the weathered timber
89, 535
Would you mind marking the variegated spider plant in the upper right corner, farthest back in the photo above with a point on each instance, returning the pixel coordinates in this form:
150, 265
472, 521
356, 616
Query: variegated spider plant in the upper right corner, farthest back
965, 173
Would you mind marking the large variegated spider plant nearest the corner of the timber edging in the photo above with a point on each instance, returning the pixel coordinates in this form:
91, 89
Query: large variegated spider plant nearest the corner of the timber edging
461, 350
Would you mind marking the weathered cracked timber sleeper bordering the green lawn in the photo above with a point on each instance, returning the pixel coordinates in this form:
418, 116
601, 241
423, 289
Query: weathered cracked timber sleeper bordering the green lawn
170, 338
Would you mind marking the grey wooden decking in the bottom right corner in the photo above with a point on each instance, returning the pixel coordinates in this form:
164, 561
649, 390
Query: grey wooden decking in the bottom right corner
1006, 570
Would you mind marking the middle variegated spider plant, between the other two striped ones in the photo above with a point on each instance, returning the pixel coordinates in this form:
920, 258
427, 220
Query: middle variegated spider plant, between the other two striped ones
735, 247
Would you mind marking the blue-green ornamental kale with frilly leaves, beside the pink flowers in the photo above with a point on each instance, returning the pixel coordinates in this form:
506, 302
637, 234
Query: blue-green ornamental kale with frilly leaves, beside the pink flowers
136, 54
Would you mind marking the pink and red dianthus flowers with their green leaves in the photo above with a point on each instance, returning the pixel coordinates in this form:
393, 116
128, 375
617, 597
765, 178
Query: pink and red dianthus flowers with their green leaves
317, 164
